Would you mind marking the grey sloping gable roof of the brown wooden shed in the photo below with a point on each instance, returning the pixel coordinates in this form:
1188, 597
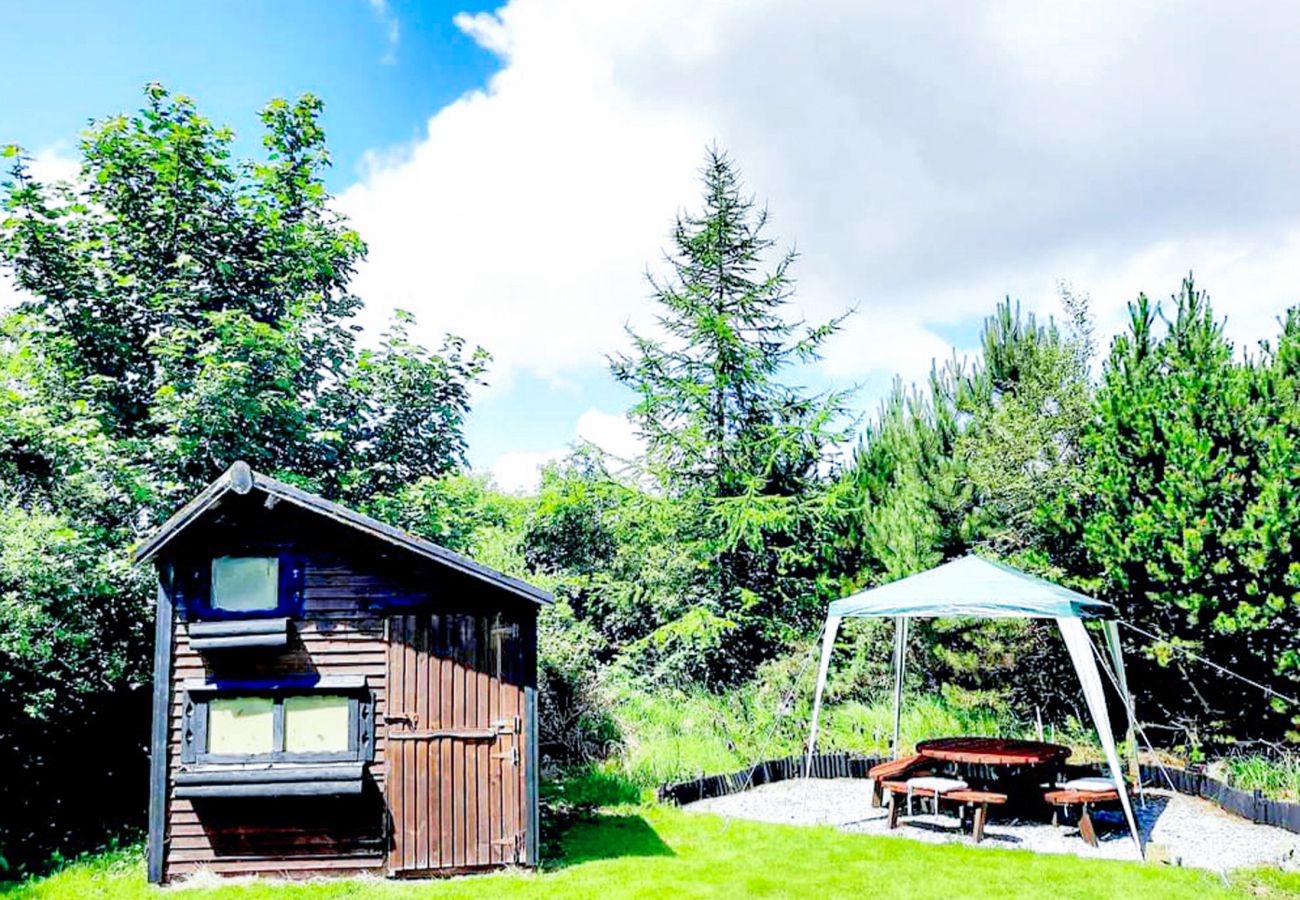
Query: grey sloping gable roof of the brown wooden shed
240, 479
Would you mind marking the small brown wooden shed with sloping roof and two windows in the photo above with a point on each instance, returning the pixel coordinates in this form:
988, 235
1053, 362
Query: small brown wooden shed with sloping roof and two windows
335, 696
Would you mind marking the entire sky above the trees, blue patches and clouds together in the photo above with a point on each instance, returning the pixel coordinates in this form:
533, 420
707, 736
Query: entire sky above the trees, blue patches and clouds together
517, 170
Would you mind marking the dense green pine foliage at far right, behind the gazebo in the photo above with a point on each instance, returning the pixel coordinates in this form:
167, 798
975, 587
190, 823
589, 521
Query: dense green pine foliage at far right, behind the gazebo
1188, 513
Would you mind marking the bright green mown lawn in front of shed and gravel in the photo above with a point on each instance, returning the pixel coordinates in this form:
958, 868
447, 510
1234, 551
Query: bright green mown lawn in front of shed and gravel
658, 851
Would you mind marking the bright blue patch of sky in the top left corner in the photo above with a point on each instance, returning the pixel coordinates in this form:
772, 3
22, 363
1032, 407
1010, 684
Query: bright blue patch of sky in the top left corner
85, 59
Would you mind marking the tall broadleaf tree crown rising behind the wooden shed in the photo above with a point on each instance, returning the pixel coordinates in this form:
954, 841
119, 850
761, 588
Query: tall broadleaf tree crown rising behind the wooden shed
203, 308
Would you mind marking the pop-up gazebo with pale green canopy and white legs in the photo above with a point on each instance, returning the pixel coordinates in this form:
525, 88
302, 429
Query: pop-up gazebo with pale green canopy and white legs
981, 589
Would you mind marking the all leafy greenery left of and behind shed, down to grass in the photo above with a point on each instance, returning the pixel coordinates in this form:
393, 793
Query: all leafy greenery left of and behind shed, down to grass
181, 310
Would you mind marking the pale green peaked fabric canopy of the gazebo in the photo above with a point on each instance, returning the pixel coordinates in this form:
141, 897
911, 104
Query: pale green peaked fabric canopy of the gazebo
973, 587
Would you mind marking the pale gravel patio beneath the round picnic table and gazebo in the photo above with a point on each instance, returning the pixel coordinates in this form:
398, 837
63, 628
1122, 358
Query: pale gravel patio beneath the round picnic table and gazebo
1189, 830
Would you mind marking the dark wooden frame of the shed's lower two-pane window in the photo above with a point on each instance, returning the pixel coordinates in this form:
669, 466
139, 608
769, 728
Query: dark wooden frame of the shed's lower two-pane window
361, 721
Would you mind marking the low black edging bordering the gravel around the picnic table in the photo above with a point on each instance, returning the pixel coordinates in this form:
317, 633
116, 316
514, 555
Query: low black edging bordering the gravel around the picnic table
1247, 804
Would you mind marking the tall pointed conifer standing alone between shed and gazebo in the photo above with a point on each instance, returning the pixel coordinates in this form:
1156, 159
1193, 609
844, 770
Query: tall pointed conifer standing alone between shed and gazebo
726, 434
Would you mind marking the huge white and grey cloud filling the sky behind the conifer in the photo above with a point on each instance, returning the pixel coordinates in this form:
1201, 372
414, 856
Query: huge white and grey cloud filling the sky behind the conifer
928, 158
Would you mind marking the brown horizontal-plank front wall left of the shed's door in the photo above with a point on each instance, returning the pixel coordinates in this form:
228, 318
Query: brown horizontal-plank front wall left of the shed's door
339, 635
